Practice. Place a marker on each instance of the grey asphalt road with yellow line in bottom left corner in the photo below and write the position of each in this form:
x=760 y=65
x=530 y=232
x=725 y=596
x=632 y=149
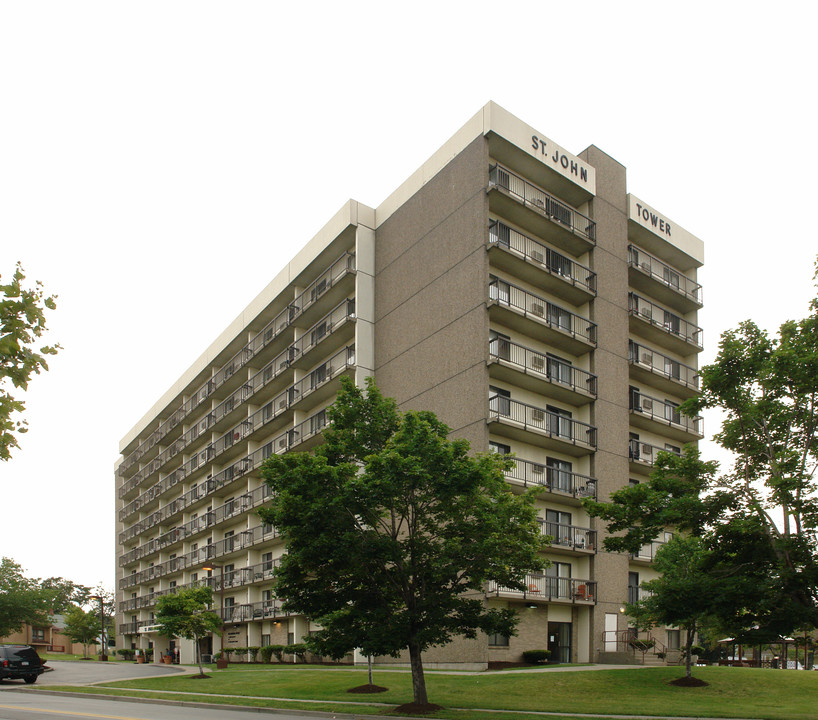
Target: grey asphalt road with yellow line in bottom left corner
x=18 y=704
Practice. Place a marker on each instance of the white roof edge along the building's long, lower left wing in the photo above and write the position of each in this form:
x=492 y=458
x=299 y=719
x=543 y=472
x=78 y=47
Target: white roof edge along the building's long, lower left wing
x=351 y=213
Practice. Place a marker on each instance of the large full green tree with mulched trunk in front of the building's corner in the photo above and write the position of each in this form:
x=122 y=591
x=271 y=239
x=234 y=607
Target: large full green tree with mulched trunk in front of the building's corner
x=393 y=530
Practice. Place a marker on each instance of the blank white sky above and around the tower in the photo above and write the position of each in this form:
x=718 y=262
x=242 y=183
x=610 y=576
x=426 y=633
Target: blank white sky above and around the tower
x=161 y=161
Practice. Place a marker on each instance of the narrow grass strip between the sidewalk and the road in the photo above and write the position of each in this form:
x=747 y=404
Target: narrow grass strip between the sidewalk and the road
x=445 y=714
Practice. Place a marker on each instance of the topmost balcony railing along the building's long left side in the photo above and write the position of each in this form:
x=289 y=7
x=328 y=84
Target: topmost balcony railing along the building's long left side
x=338 y=270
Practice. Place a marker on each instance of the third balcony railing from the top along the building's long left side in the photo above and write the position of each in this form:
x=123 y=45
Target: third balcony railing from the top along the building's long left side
x=321 y=375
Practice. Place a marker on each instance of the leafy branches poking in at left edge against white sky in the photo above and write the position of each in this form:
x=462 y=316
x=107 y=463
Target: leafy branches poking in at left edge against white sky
x=22 y=321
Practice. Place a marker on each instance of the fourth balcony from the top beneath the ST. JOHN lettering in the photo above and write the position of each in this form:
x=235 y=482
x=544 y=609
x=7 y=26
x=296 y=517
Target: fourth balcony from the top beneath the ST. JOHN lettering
x=537 y=371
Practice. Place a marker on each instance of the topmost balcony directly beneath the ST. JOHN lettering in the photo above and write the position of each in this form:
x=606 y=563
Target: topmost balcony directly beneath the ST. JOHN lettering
x=543 y=214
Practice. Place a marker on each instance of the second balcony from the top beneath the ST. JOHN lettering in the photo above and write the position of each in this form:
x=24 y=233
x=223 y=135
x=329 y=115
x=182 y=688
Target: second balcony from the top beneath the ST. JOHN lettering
x=529 y=259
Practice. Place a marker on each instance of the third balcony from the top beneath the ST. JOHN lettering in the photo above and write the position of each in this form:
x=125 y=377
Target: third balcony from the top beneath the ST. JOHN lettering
x=532 y=315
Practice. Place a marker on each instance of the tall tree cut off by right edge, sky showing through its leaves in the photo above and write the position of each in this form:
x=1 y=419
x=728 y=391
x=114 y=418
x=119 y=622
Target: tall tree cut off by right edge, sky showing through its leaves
x=767 y=389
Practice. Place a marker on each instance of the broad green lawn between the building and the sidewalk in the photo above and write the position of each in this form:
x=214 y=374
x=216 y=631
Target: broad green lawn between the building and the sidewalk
x=733 y=692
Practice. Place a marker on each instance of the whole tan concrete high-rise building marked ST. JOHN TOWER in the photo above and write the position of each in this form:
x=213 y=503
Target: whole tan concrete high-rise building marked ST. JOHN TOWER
x=516 y=290
